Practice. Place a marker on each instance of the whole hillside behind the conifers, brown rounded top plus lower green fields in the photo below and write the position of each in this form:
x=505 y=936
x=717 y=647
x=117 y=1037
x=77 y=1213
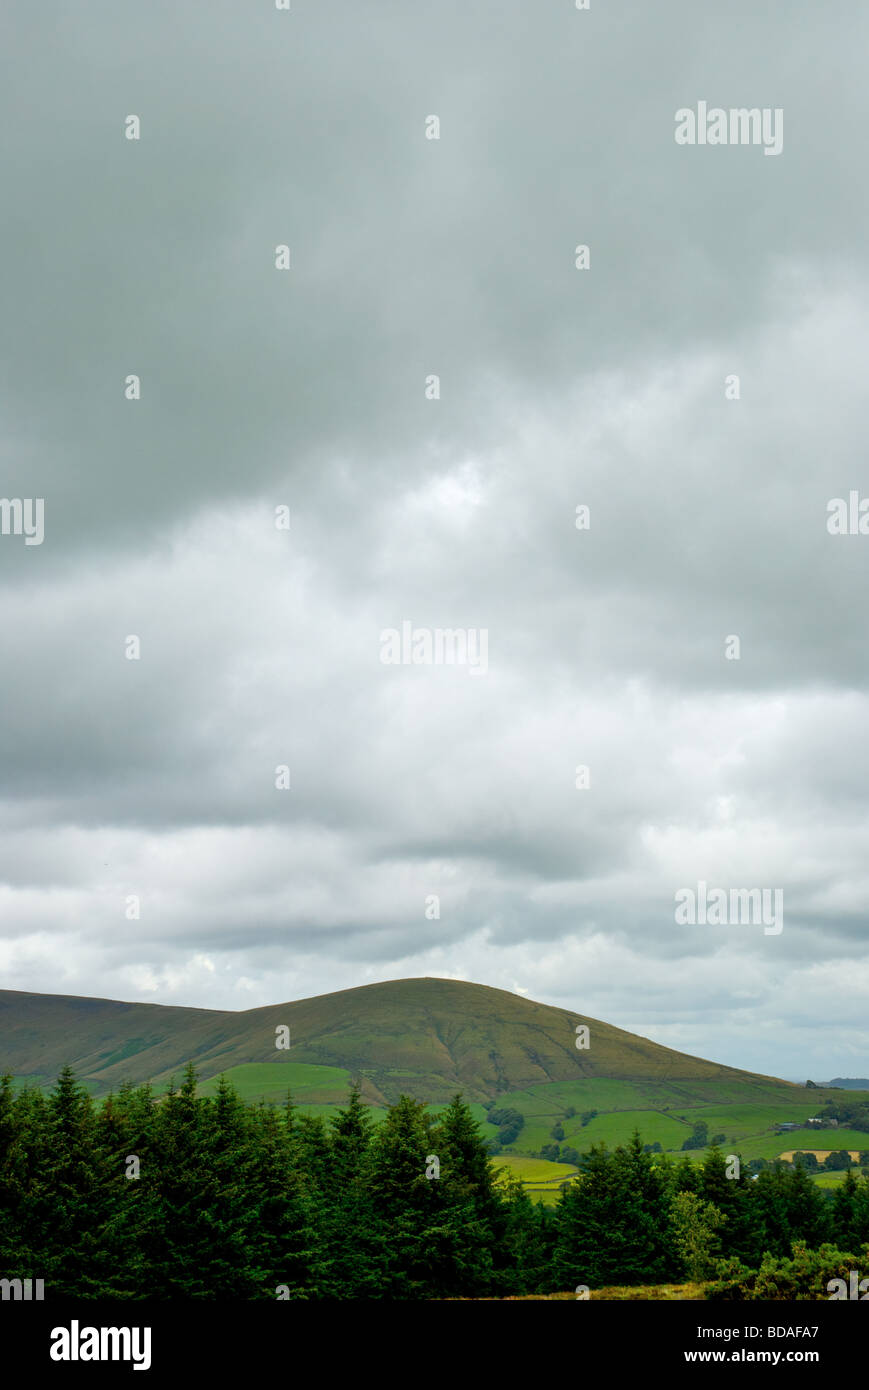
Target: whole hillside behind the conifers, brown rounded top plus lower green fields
x=429 y=1039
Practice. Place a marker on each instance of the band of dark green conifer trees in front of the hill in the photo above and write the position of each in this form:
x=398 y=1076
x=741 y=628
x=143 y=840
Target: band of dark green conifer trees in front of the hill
x=208 y=1197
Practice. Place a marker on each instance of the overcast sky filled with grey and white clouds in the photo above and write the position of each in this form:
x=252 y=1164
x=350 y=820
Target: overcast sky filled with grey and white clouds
x=398 y=430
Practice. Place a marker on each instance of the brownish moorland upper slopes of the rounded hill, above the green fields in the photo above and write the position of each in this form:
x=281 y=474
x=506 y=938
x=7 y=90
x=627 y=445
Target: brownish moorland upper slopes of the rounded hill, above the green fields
x=428 y=1038
